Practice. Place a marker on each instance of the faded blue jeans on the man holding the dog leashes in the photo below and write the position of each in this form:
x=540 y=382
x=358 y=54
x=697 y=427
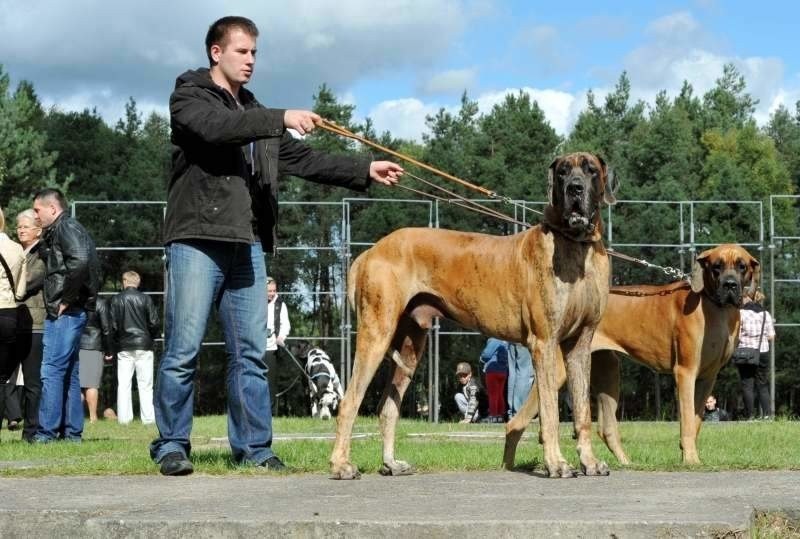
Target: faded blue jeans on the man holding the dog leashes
x=232 y=276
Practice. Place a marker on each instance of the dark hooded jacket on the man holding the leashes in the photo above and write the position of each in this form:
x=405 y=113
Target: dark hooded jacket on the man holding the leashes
x=212 y=193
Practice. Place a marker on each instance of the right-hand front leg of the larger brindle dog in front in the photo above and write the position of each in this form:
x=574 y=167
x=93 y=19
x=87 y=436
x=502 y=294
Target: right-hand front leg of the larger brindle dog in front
x=578 y=359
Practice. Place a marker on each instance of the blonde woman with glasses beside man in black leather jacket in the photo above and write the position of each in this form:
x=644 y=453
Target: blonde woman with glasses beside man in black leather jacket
x=30 y=320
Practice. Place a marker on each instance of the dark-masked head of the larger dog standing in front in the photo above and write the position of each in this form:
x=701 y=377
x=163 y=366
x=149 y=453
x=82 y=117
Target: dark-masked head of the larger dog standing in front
x=577 y=183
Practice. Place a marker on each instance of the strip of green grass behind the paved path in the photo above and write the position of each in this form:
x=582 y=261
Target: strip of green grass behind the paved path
x=112 y=449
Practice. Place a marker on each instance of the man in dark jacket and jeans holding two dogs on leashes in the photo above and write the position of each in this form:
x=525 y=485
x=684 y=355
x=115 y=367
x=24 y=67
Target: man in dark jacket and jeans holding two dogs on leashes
x=221 y=208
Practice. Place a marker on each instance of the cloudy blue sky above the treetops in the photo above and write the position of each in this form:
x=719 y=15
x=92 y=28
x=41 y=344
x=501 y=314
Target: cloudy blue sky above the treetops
x=398 y=61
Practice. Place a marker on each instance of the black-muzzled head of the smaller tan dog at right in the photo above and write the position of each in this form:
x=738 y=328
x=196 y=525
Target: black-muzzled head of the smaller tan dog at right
x=726 y=273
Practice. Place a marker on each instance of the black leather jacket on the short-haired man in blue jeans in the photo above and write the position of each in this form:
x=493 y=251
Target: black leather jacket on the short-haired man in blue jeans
x=72 y=270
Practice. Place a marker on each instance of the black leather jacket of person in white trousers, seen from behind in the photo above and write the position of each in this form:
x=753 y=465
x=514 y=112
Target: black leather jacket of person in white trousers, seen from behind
x=134 y=320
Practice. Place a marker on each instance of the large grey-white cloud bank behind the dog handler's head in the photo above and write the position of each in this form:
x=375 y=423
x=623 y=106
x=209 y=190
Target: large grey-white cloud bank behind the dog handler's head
x=138 y=49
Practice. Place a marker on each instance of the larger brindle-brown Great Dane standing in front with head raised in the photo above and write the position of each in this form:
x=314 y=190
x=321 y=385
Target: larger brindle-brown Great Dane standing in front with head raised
x=546 y=287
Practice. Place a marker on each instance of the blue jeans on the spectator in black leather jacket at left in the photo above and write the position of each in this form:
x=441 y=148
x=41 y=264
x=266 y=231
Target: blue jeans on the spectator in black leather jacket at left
x=60 y=407
